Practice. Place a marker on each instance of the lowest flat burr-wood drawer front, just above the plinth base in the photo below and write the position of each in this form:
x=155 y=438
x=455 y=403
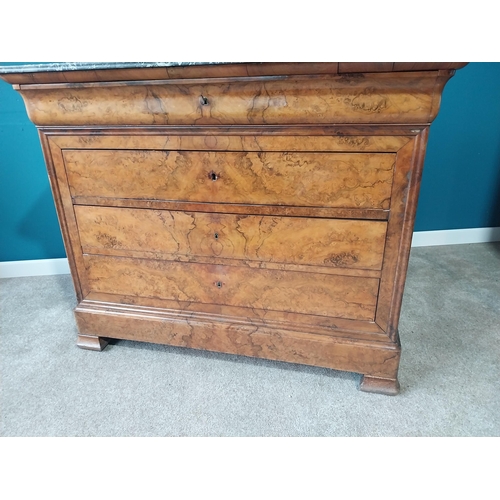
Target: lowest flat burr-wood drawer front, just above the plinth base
x=288 y=291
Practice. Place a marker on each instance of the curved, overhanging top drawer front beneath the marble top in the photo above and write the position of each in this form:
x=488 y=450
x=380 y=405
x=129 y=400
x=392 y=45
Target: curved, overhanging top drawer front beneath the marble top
x=319 y=99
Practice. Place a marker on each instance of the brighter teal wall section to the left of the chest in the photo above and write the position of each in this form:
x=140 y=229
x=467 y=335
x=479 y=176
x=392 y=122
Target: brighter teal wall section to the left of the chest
x=28 y=220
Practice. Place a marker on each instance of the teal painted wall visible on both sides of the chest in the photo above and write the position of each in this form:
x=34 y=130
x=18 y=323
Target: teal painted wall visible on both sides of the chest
x=460 y=186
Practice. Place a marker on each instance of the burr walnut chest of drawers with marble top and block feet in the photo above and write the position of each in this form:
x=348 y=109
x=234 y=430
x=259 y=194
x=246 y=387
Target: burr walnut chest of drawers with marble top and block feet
x=263 y=209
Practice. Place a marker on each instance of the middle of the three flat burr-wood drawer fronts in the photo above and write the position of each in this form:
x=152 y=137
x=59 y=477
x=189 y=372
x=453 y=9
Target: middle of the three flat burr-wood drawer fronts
x=294 y=240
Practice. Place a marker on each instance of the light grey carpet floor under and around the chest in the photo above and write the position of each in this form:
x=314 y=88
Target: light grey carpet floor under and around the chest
x=449 y=372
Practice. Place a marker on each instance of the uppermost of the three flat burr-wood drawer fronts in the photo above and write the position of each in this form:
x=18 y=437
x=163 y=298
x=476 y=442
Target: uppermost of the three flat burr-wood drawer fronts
x=353 y=180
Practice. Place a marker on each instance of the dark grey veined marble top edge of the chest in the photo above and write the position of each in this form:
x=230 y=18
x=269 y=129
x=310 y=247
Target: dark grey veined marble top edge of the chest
x=88 y=66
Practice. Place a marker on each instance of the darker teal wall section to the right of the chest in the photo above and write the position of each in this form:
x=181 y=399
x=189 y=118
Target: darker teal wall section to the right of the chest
x=461 y=180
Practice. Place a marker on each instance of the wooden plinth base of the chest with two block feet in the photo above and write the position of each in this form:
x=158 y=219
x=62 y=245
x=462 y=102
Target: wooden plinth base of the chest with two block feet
x=378 y=361
